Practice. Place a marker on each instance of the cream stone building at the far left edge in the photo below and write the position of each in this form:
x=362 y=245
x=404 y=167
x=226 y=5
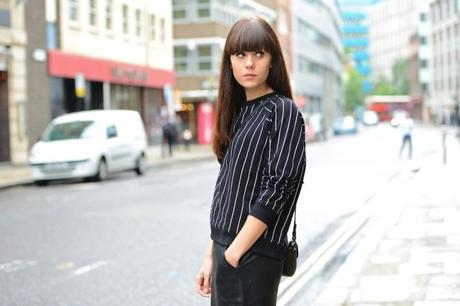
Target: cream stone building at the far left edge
x=13 y=86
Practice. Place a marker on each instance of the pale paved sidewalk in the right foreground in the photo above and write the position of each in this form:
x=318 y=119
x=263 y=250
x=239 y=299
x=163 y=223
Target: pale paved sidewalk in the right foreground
x=409 y=253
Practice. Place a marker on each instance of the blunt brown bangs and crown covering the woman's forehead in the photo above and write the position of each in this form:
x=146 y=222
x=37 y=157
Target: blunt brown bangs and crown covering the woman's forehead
x=249 y=35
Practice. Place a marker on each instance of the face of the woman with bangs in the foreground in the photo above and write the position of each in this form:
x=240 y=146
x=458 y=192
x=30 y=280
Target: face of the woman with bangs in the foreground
x=251 y=69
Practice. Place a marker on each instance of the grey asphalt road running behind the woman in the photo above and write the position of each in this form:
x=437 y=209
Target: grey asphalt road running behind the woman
x=140 y=240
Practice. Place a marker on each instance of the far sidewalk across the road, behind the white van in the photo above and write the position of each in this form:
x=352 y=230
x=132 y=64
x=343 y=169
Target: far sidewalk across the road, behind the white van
x=19 y=175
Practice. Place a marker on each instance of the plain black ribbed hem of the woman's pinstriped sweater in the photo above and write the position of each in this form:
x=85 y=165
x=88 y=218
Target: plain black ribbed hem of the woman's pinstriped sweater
x=261 y=246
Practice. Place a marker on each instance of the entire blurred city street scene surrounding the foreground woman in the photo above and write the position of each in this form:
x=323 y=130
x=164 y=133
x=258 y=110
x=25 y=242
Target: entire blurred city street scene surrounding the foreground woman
x=365 y=74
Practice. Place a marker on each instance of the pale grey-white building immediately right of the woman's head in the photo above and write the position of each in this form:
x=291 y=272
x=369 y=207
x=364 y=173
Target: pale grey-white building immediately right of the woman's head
x=317 y=57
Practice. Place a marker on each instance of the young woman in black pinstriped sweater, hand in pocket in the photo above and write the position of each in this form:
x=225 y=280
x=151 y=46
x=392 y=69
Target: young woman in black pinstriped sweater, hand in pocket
x=259 y=140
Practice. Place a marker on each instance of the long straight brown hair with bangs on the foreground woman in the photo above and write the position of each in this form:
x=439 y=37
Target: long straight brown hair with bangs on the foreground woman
x=246 y=35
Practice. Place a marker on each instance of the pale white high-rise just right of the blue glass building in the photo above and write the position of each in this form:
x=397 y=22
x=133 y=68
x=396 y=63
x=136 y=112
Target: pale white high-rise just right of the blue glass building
x=399 y=31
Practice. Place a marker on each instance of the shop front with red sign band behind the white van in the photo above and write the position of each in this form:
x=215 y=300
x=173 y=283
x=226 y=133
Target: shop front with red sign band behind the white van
x=83 y=83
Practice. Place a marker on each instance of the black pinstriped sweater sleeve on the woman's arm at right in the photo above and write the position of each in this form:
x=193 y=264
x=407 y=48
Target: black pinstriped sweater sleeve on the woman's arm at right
x=286 y=158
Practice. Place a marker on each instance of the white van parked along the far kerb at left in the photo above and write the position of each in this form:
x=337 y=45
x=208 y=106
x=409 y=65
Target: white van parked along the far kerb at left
x=89 y=144
